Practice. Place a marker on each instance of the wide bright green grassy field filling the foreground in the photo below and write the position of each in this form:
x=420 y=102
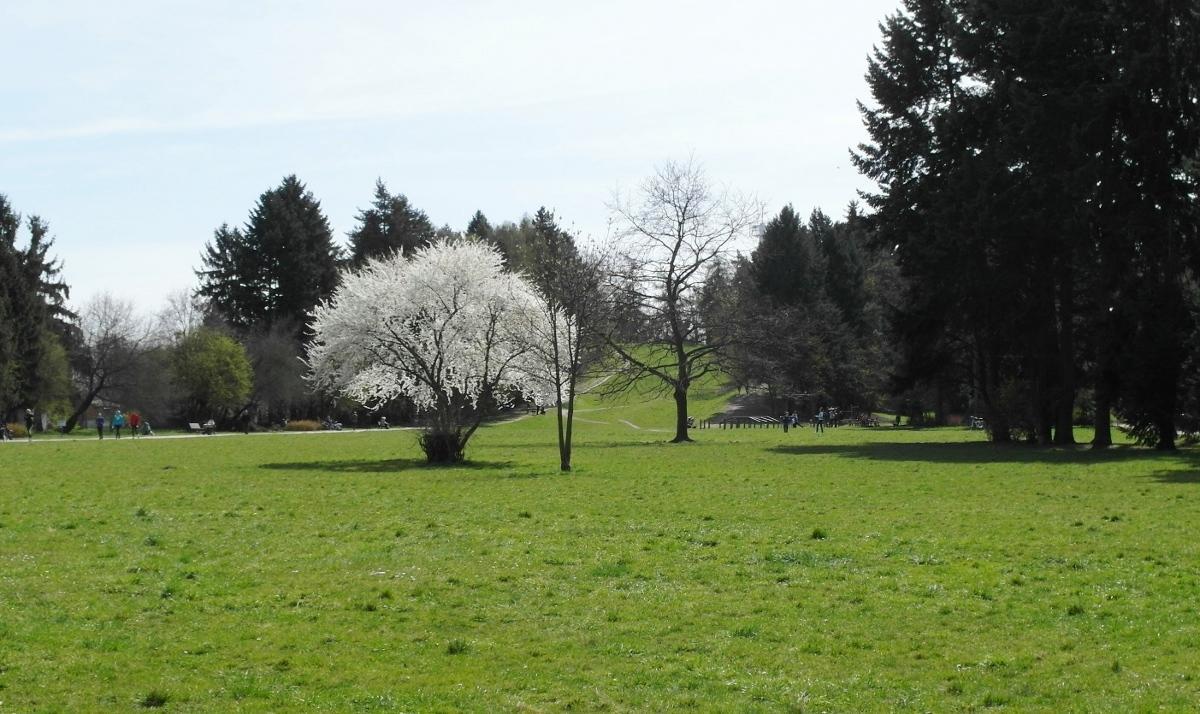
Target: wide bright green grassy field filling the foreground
x=856 y=571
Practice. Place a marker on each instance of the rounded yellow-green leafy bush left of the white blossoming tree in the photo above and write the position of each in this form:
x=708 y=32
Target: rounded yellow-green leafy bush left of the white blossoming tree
x=212 y=373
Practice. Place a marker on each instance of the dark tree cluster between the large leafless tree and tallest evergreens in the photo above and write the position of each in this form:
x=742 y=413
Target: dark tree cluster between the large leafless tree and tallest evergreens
x=806 y=315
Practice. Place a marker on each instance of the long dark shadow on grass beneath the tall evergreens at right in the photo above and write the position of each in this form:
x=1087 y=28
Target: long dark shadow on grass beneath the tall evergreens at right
x=988 y=453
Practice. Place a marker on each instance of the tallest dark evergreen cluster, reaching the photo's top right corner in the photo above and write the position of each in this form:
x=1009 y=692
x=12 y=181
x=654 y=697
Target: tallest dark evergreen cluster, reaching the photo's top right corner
x=1036 y=169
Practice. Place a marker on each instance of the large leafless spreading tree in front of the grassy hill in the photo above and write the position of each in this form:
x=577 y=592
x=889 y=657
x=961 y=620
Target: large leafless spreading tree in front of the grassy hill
x=670 y=233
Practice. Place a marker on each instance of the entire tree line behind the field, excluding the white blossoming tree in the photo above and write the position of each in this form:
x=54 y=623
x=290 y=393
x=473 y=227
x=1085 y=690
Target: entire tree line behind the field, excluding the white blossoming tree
x=1029 y=255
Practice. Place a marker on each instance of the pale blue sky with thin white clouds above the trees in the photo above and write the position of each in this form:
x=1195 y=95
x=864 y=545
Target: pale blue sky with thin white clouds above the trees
x=136 y=129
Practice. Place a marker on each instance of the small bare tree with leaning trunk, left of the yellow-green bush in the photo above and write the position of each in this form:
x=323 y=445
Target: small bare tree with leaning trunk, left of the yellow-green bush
x=113 y=343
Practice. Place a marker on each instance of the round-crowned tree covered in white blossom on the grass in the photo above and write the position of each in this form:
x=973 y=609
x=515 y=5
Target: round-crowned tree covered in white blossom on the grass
x=447 y=328
